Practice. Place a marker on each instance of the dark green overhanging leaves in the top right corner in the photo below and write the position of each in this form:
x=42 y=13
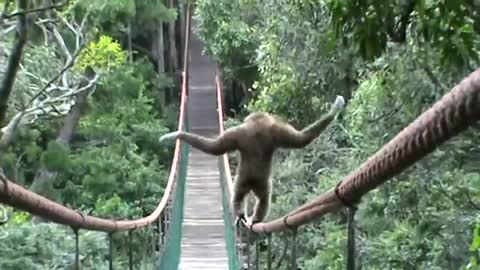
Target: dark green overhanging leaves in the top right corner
x=449 y=27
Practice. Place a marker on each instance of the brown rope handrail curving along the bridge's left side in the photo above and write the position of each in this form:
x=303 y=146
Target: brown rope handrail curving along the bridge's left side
x=17 y=196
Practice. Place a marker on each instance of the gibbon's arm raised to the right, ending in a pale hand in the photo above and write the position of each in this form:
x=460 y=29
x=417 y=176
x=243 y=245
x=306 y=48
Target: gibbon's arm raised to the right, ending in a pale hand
x=288 y=137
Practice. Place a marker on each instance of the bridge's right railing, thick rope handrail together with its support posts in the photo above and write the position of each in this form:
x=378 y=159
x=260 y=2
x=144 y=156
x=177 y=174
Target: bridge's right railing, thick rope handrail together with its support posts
x=452 y=114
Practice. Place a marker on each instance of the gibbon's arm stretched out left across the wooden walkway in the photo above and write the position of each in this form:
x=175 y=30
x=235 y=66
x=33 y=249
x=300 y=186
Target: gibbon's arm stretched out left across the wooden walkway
x=226 y=142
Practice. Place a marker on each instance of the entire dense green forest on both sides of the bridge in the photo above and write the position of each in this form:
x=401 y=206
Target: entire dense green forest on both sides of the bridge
x=98 y=82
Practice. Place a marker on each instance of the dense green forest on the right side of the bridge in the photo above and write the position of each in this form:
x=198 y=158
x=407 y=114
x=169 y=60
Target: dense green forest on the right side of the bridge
x=391 y=60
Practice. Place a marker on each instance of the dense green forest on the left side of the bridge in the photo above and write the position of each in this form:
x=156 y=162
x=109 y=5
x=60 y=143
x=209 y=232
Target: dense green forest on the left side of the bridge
x=97 y=83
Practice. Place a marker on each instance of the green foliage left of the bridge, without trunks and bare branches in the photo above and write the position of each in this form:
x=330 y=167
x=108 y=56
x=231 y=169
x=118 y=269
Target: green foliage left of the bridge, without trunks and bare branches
x=114 y=166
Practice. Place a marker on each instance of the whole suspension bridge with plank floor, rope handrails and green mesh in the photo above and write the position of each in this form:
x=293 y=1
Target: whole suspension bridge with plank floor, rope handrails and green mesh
x=193 y=223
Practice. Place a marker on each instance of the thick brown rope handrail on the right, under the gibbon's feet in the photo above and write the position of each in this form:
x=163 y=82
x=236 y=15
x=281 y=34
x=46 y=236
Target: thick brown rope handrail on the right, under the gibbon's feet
x=453 y=113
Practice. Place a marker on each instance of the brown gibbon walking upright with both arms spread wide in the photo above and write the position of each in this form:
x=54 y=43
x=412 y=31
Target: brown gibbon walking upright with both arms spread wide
x=256 y=139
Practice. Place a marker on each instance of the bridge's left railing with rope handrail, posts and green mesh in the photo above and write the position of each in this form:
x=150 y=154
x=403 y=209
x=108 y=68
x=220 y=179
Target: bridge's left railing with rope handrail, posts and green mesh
x=165 y=221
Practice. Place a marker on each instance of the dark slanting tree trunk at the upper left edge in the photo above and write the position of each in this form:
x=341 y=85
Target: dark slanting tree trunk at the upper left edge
x=13 y=61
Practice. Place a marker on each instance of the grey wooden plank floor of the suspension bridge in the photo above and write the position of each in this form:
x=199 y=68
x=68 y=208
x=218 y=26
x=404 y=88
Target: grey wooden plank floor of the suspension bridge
x=203 y=241
